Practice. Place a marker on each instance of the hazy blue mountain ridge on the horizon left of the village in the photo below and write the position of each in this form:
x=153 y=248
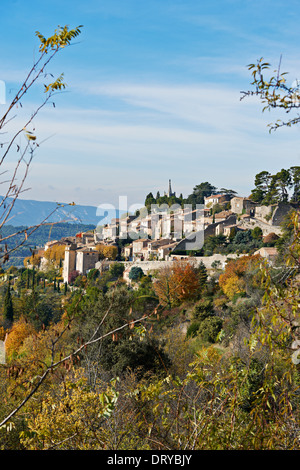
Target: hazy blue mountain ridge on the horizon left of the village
x=30 y=212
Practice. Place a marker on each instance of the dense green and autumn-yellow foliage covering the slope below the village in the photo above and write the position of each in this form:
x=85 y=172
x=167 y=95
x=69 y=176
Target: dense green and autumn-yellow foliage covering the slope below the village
x=182 y=359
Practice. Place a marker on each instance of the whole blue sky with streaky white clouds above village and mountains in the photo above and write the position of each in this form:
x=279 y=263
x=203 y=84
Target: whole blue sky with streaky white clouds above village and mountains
x=153 y=94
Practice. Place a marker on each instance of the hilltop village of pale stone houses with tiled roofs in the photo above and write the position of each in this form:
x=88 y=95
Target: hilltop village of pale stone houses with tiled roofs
x=154 y=237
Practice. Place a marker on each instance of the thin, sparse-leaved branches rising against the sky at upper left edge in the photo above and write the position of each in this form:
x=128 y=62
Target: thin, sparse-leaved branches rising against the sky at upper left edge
x=23 y=141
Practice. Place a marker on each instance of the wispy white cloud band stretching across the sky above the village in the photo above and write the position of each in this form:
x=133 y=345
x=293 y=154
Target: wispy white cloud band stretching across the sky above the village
x=155 y=132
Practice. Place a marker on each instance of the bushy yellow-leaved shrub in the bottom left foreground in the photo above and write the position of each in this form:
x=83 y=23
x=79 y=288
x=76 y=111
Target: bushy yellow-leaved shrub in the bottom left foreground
x=75 y=410
